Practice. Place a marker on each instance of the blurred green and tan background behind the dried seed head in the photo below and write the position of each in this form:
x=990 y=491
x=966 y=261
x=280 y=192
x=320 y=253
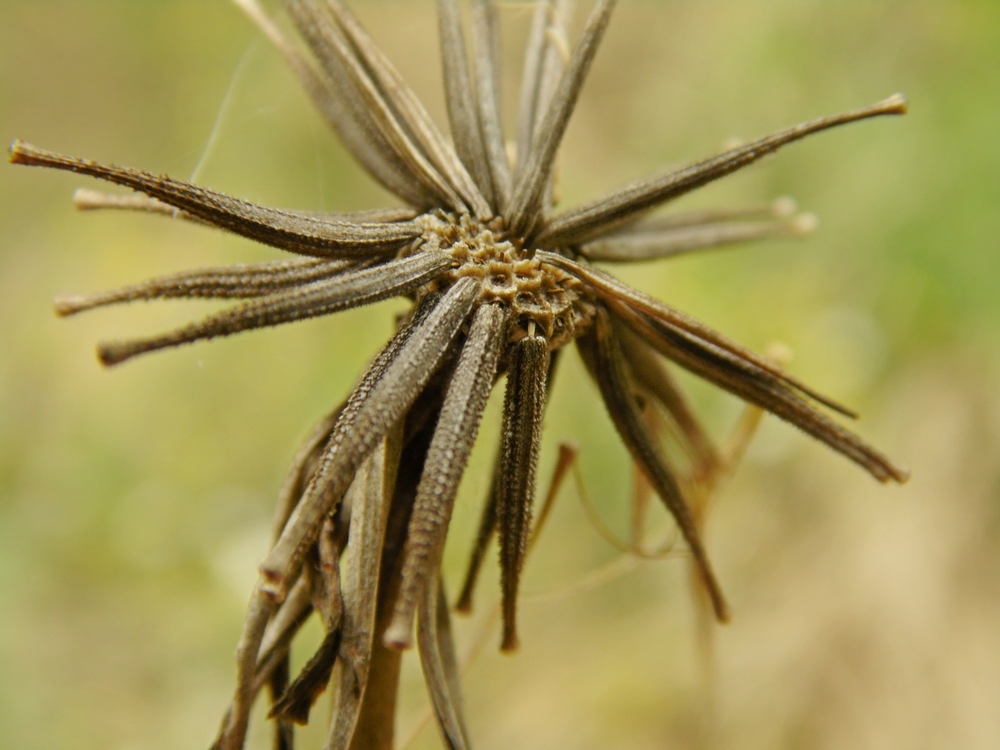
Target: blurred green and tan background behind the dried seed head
x=135 y=502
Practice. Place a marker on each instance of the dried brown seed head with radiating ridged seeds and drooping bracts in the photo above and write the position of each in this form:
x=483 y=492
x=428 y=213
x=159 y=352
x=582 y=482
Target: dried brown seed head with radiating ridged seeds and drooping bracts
x=500 y=284
